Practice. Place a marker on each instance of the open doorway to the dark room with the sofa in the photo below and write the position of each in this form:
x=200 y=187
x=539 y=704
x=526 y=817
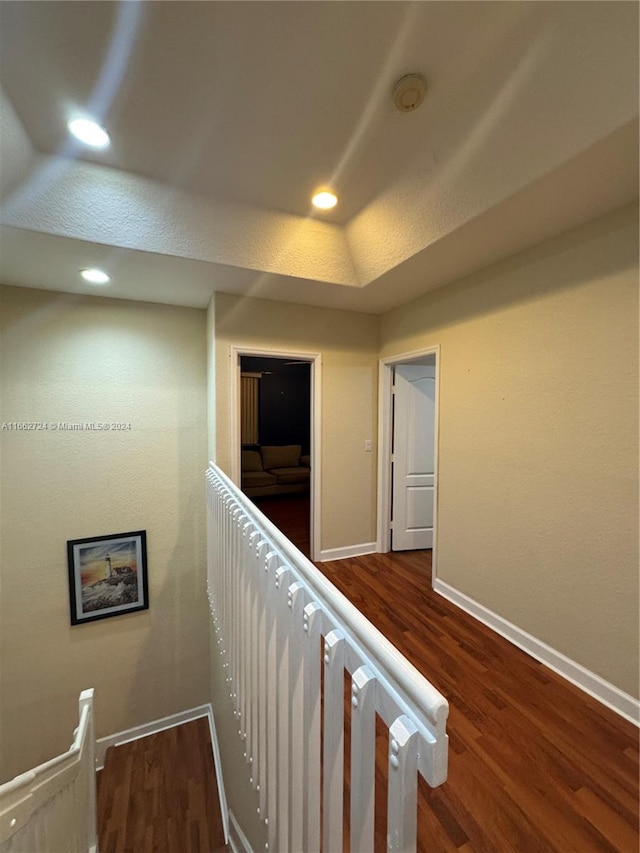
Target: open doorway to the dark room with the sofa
x=275 y=435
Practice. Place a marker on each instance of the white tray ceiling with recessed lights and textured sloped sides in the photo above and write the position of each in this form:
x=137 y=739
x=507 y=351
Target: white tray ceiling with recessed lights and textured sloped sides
x=225 y=116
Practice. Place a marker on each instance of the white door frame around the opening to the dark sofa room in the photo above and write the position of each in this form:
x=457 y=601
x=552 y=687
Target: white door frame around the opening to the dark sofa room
x=315 y=360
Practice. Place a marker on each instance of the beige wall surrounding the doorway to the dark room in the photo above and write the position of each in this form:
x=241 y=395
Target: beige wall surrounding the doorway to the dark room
x=348 y=343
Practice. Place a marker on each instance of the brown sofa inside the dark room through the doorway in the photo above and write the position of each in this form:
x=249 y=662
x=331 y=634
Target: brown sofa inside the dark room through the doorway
x=275 y=470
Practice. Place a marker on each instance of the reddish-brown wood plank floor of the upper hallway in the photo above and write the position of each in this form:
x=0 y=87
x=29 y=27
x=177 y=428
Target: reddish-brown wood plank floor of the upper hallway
x=535 y=764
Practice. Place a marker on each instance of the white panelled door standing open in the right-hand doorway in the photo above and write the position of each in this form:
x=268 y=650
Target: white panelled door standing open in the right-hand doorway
x=413 y=457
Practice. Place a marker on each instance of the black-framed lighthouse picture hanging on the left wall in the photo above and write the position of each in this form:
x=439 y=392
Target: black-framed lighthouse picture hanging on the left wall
x=107 y=576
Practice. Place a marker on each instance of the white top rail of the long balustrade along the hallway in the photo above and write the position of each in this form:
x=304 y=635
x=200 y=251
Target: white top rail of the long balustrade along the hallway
x=400 y=671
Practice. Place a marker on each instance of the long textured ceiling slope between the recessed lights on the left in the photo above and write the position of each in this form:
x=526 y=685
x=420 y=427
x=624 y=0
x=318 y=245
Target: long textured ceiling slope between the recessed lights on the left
x=129 y=211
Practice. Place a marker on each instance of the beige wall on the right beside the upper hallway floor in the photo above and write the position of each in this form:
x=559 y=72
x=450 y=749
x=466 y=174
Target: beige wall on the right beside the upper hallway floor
x=538 y=497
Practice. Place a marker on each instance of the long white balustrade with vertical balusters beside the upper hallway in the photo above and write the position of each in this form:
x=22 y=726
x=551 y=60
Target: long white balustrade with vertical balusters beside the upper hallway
x=277 y=622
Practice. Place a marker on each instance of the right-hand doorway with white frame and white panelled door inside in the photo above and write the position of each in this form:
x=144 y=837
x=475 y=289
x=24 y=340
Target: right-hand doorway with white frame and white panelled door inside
x=407 y=473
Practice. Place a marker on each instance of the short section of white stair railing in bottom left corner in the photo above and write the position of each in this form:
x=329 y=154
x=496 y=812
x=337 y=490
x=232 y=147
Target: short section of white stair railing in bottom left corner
x=52 y=808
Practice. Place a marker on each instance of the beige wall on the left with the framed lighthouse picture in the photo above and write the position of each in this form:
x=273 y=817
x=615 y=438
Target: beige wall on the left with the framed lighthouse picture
x=70 y=358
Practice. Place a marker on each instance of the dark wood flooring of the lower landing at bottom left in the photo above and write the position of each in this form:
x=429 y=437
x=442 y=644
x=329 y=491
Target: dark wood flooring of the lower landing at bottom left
x=159 y=794
